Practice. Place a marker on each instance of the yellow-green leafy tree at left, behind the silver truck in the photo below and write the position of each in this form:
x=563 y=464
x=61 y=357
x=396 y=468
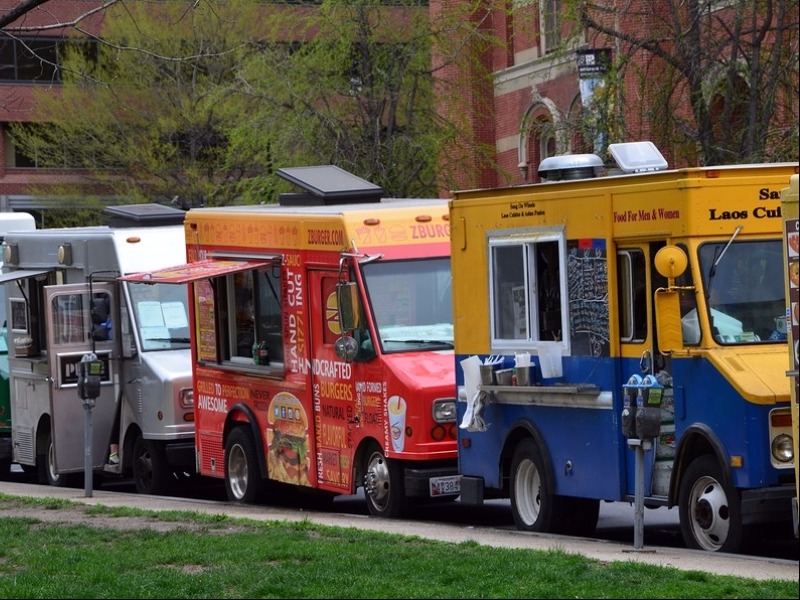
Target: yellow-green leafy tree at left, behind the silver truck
x=151 y=115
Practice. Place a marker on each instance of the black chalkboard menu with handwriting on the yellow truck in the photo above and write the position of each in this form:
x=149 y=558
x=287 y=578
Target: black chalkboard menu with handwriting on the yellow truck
x=587 y=281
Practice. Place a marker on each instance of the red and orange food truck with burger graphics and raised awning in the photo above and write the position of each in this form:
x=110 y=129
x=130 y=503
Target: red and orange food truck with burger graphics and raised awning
x=322 y=335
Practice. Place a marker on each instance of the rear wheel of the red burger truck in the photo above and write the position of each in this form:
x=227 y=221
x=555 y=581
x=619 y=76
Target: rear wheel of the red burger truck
x=243 y=482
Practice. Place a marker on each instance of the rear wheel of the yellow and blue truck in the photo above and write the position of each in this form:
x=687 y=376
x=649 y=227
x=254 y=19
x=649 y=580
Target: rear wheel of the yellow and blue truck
x=532 y=502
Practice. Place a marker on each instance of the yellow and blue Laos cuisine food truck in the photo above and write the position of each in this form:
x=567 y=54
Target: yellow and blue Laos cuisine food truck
x=612 y=311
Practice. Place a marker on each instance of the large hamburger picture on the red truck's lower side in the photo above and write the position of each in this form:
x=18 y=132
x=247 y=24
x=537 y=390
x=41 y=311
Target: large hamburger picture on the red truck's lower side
x=288 y=440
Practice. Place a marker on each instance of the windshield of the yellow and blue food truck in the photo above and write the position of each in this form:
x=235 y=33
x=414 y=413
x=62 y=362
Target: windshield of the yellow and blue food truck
x=744 y=287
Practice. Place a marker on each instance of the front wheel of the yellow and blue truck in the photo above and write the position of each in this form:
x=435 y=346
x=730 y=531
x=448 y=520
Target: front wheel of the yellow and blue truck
x=710 y=511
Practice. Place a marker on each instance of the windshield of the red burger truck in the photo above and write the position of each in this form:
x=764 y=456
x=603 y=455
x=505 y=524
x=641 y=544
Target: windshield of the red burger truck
x=411 y=303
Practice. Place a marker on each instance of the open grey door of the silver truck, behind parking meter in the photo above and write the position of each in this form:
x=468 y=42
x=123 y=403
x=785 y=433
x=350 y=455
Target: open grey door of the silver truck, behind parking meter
x=79 y=322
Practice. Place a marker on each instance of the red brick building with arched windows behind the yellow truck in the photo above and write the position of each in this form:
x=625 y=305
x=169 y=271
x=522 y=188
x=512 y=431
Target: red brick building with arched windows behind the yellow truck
x=545 y=69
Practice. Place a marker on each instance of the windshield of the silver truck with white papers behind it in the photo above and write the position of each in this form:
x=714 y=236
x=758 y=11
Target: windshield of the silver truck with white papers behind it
x=160 y=315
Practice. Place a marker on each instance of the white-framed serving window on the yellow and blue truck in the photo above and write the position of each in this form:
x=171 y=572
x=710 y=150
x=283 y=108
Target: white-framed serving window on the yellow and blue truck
x=527 y=290
